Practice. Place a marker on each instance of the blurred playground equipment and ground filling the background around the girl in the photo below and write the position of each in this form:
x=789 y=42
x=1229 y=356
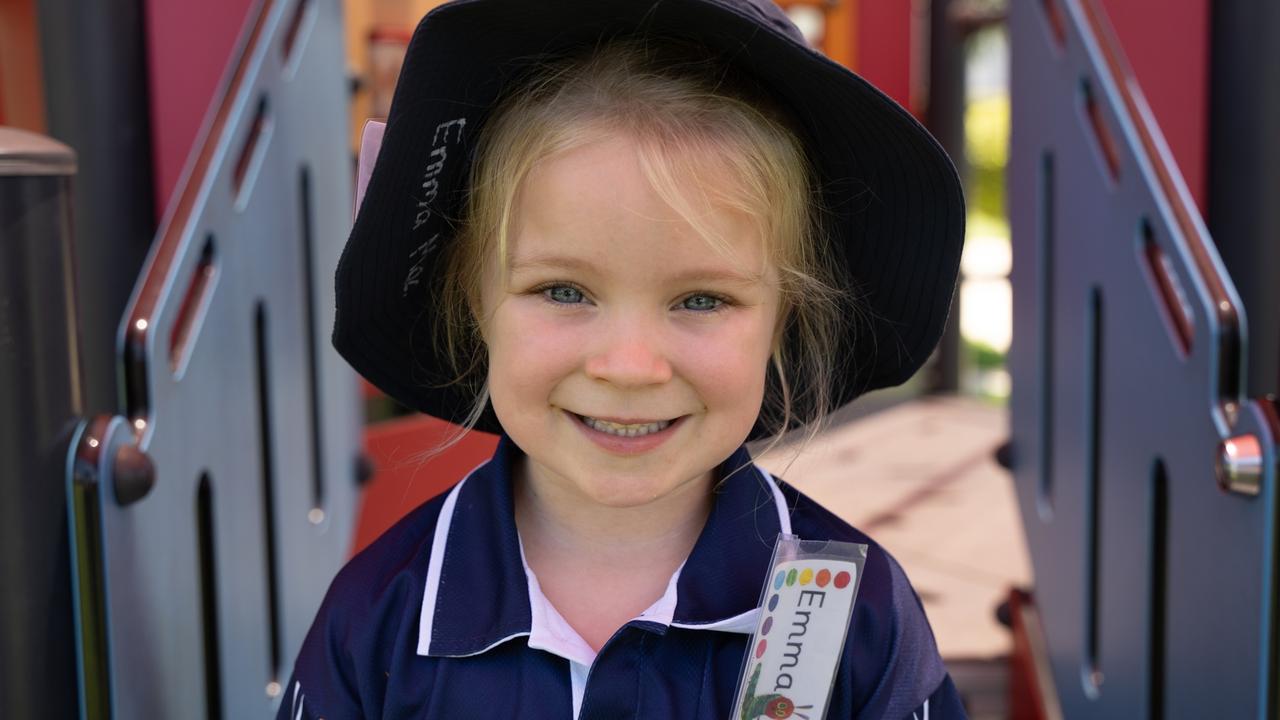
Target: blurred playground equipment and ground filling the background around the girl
x=1081 y=484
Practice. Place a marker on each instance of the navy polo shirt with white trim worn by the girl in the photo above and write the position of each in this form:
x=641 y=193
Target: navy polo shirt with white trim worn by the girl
x=442 y=618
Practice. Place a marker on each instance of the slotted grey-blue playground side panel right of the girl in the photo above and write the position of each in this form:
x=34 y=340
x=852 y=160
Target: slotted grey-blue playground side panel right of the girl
x=1191 y=644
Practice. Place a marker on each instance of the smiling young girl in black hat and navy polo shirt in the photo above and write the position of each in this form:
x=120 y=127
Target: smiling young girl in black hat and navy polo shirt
x=629 y=236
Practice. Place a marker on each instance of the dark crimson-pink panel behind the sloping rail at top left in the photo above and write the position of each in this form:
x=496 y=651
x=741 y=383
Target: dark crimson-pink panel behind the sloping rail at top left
x=189 y=47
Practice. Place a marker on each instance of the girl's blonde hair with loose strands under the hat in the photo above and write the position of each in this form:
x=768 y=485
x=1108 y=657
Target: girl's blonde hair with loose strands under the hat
x=682 y=110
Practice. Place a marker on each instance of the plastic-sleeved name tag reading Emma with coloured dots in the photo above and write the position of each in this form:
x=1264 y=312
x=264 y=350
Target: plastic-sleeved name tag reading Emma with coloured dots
x=806 y=608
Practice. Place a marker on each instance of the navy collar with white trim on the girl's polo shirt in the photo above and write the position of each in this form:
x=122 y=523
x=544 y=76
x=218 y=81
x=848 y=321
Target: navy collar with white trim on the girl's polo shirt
x=478 y=590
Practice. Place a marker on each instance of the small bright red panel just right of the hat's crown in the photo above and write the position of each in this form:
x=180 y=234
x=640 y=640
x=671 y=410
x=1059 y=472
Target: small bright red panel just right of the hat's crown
x=885 y=47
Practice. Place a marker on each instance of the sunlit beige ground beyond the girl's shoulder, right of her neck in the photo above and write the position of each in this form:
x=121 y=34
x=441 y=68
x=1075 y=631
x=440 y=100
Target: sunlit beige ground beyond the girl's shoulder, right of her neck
x=922 y=481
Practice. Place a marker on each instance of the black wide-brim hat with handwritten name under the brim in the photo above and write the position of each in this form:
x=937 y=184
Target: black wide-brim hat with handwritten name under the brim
x=894 y=206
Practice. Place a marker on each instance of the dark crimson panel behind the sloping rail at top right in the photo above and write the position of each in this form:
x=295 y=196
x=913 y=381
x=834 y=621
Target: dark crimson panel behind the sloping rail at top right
x=1168 y=47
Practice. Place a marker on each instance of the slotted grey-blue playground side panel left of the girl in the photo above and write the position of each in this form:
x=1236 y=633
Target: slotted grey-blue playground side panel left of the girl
x=184 y=642
